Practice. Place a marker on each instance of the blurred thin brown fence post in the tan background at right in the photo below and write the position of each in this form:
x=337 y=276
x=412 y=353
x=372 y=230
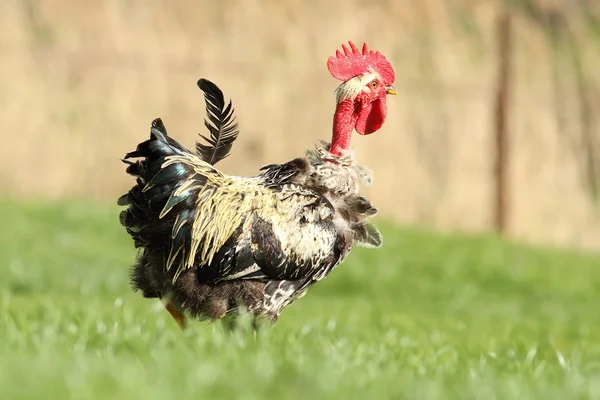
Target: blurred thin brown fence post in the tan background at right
x=500 y=121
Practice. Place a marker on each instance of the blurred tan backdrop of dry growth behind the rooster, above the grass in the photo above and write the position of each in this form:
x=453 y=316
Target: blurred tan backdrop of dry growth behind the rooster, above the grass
x=81 y=81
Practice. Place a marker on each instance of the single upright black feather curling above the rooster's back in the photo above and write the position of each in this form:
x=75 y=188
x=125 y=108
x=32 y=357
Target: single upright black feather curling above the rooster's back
x=221 y=123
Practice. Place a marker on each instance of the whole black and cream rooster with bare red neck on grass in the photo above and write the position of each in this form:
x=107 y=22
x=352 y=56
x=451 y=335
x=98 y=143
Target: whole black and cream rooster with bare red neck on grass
x=213 y=245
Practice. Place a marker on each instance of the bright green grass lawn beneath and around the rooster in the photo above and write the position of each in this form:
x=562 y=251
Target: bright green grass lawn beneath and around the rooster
x=425 y=317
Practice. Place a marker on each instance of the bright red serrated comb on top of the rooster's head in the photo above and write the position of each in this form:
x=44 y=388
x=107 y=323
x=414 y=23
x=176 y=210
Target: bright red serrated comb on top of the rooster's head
x=351 y=63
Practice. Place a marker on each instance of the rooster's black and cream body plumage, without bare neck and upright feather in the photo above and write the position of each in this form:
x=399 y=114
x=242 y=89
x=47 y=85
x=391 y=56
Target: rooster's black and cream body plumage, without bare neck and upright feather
x=259 y=242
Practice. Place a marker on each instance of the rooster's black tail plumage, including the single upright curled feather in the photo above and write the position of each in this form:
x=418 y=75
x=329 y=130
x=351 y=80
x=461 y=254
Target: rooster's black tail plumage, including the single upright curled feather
x=159 y=215
